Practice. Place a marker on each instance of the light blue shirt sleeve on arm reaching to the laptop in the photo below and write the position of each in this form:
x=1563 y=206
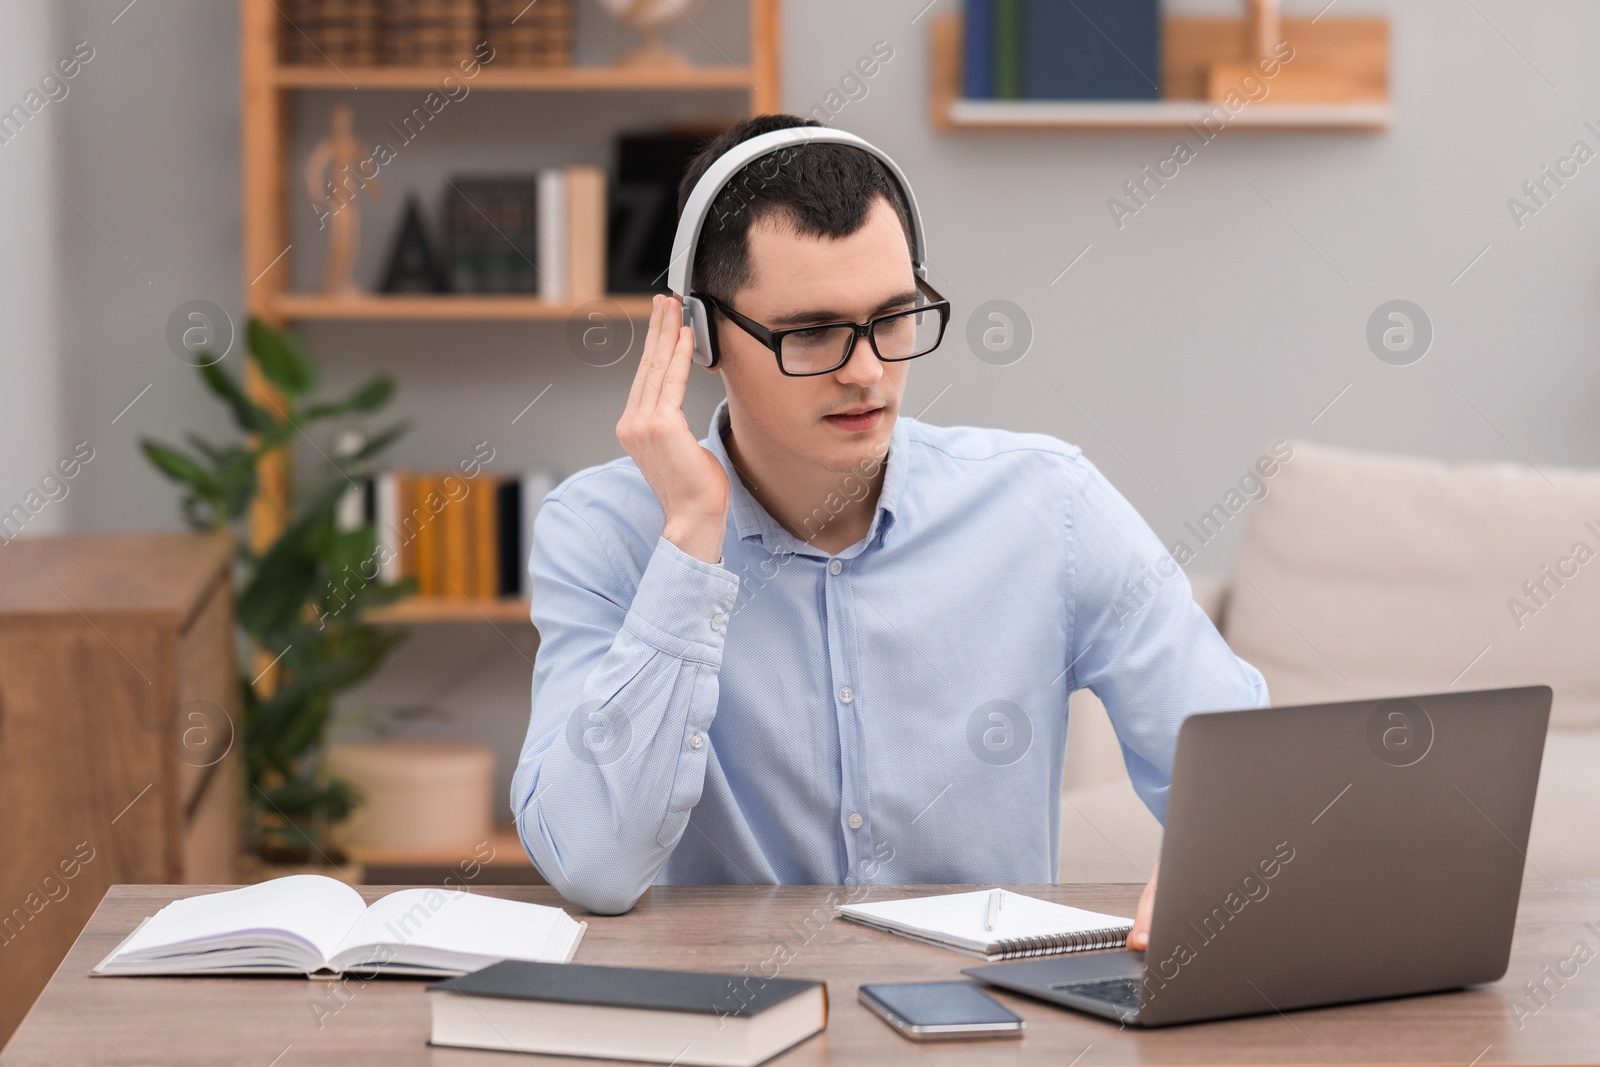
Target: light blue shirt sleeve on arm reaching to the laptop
x=1142 y=644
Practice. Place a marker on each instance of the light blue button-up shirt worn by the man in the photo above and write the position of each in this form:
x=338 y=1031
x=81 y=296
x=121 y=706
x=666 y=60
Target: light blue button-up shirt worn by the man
x=890 y=714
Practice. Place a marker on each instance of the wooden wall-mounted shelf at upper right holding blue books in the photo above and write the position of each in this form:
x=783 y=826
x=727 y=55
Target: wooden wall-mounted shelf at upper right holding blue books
x=1353 y=54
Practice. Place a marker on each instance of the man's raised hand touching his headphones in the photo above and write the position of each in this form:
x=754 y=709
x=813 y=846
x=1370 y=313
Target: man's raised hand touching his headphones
x=687 y=479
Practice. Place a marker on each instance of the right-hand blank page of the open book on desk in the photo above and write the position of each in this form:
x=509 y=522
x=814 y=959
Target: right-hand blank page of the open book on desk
x=452 y=921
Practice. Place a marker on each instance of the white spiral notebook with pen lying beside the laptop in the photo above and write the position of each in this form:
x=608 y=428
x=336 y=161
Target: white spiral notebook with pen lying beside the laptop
x=1025 y=927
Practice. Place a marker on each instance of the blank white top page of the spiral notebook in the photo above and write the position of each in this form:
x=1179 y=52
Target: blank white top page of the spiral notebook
x=961 y=917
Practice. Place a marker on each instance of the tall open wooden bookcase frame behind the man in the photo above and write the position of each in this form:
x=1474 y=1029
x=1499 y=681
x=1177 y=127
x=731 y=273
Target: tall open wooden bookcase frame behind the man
x=266 y=89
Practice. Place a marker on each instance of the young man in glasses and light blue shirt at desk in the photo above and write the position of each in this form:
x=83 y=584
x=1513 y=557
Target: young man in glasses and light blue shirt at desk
x=830 y=644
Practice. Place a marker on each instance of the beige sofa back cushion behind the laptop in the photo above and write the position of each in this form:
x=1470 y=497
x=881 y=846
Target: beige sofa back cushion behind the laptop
x=1369 y=575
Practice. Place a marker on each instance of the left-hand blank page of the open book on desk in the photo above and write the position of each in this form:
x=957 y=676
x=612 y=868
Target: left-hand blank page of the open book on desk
x=316 y=908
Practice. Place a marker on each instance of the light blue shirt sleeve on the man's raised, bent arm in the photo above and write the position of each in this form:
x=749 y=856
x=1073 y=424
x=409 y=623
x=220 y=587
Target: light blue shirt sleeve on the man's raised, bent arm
x=625 y=689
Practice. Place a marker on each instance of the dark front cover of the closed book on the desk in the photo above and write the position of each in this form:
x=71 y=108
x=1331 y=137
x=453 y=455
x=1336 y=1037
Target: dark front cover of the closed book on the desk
x=626 y=988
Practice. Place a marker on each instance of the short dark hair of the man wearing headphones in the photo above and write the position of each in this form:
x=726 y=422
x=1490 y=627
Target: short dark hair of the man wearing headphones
x=820 y=190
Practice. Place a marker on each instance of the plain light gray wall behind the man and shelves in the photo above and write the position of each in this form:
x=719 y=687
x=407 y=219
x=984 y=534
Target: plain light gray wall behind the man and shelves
x=1226 y=314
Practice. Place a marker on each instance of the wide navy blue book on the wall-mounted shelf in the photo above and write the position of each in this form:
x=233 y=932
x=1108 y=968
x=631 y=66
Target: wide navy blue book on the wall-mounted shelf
x=1092 y=50
